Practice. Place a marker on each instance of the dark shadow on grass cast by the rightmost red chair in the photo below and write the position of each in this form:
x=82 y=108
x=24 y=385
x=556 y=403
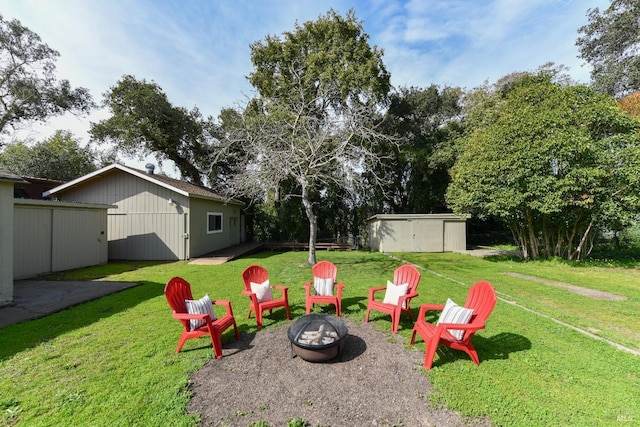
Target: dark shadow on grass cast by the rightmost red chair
x=496 y=347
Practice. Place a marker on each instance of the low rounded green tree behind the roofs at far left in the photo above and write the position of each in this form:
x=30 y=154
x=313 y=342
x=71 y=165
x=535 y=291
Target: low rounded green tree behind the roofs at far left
x=58 y=157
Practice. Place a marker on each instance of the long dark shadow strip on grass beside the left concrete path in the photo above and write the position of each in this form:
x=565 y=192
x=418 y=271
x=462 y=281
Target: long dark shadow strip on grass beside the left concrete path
x=29 y=334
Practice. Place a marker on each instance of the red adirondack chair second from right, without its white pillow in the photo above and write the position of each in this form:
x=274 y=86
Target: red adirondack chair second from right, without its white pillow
x=404 y=274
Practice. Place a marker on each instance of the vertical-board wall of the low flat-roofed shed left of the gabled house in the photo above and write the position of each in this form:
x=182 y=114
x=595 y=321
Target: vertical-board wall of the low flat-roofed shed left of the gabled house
x=53 y=236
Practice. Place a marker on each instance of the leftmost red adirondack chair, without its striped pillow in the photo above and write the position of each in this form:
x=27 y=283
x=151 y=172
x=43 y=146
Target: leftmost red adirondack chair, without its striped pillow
x=177 y=291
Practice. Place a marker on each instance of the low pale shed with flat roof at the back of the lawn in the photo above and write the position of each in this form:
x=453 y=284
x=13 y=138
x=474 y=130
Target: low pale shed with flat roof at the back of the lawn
x=417 y=233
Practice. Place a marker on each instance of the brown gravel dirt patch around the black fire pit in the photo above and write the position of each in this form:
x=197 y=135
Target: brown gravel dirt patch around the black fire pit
x=378 y=382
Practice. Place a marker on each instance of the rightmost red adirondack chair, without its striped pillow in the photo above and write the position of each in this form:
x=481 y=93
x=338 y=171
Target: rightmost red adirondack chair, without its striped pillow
x=481 y=299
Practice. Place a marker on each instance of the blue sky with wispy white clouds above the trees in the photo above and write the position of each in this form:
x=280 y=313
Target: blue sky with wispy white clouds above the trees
x=198 y=50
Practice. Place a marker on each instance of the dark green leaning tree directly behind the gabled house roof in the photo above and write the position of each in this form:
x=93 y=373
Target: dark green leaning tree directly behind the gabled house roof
x=144 y=121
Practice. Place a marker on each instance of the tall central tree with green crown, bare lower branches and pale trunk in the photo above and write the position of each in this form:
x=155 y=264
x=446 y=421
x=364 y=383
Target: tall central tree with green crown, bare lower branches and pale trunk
x=312 y=127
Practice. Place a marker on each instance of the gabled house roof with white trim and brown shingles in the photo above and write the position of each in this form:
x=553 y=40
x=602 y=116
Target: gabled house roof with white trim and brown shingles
x=180 y=187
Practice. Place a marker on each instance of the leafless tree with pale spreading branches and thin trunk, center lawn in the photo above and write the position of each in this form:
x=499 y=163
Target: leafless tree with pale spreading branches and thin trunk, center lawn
x=315 y=150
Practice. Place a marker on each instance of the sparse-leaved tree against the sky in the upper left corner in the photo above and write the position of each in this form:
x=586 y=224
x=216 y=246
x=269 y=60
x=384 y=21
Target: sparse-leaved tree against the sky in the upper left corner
x=29 y=89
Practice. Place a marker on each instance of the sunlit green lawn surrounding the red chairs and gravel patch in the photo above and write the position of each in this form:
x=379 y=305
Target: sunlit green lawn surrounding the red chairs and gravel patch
x=111 y=362
